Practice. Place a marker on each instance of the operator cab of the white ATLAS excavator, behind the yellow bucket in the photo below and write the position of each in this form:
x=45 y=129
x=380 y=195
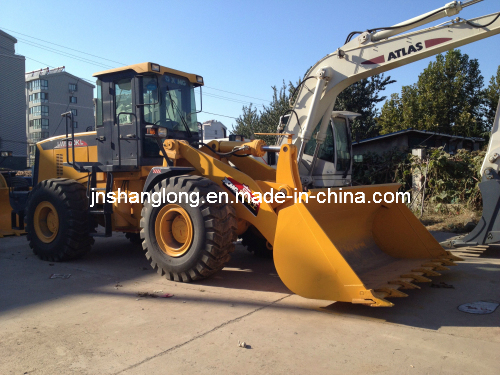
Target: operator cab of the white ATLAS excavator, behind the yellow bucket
x=334 y=163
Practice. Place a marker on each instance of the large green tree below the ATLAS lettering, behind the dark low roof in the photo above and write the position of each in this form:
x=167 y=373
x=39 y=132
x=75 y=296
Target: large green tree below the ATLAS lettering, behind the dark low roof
x=447 y=98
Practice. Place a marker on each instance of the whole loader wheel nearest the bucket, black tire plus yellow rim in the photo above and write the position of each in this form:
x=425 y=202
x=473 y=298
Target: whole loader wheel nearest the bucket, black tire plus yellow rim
x=187 y=243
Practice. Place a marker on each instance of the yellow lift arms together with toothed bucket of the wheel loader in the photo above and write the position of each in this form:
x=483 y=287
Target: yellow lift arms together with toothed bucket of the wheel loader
x=353 y=252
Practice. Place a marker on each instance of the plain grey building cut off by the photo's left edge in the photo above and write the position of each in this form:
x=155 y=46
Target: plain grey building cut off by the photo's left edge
x=12 y=105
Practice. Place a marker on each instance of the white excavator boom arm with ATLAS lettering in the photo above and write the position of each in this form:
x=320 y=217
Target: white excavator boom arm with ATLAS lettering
x=369 y=54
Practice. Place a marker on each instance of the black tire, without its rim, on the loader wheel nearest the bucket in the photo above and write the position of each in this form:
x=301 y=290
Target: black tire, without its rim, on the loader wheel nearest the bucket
x=214 y=232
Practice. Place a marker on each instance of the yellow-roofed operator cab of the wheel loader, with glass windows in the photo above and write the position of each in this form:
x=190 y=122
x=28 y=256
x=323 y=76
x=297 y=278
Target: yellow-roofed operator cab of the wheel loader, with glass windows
x=137 y=107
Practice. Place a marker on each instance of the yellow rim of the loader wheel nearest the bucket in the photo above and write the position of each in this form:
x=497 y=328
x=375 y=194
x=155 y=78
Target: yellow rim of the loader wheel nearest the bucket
x=173 y=230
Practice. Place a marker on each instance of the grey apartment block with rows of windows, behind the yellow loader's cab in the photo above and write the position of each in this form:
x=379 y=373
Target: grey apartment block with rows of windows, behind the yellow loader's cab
x=49 y=93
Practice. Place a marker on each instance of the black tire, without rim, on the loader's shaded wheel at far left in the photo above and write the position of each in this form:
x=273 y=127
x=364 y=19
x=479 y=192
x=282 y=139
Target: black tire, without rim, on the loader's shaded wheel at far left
x=69 y=199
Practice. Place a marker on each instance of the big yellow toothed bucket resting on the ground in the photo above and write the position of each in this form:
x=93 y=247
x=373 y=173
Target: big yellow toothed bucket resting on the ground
x=355 y=252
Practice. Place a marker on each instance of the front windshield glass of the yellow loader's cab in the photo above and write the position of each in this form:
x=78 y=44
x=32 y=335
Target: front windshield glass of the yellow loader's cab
x=172 y=105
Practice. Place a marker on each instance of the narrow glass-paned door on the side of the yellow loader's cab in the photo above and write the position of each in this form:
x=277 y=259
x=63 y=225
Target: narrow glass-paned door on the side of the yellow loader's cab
x=125 y=128
